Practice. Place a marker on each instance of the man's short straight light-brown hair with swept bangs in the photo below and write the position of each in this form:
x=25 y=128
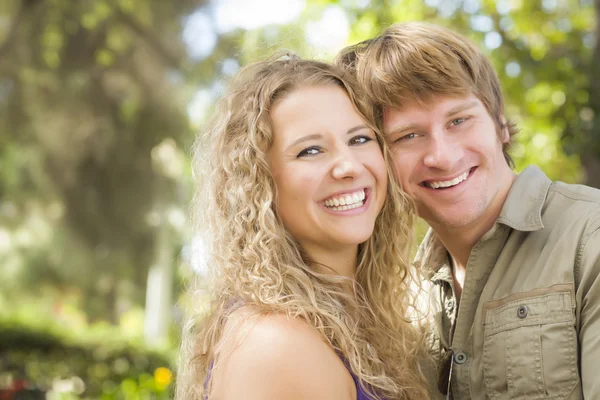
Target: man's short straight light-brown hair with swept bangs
x=415 y=61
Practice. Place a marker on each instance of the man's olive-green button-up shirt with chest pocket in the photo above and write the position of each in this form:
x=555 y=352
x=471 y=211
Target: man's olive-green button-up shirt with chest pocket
x=527 y=325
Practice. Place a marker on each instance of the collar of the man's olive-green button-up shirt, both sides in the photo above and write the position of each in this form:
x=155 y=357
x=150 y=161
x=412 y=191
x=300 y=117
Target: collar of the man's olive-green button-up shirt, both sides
x=522 y=211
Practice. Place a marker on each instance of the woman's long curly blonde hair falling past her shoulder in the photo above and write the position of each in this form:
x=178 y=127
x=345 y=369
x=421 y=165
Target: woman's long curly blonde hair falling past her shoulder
x=255 y=262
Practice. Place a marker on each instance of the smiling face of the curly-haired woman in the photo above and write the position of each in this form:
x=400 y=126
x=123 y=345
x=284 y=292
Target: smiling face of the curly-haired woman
x=328 y=167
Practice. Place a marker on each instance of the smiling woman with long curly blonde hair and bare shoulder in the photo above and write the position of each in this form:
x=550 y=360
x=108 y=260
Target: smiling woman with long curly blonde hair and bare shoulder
x=309 y=258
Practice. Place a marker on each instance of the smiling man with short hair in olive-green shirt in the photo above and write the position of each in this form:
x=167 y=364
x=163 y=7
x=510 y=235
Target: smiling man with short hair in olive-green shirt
x=512 y=261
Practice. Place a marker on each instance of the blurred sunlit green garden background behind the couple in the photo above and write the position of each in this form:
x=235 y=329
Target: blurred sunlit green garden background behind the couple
x=100 y=101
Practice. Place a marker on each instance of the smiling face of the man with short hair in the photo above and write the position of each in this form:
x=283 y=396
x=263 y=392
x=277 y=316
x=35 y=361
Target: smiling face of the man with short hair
x=448 y=157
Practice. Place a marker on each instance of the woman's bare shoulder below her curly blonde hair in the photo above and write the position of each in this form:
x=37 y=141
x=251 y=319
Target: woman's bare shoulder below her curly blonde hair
x=275 y=356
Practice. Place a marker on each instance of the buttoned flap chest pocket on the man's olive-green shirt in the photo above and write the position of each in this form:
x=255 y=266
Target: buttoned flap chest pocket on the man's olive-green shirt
x=530 y=345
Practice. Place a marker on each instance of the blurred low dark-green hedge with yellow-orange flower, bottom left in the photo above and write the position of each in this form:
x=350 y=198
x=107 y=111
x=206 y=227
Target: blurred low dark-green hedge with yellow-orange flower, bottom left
x=53 y=360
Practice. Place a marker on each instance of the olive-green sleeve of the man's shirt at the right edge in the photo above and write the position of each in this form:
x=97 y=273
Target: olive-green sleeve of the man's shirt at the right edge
x=588 y=297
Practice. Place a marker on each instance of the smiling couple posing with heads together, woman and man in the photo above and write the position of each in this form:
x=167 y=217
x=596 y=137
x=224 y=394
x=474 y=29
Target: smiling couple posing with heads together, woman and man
x=312 y=176
